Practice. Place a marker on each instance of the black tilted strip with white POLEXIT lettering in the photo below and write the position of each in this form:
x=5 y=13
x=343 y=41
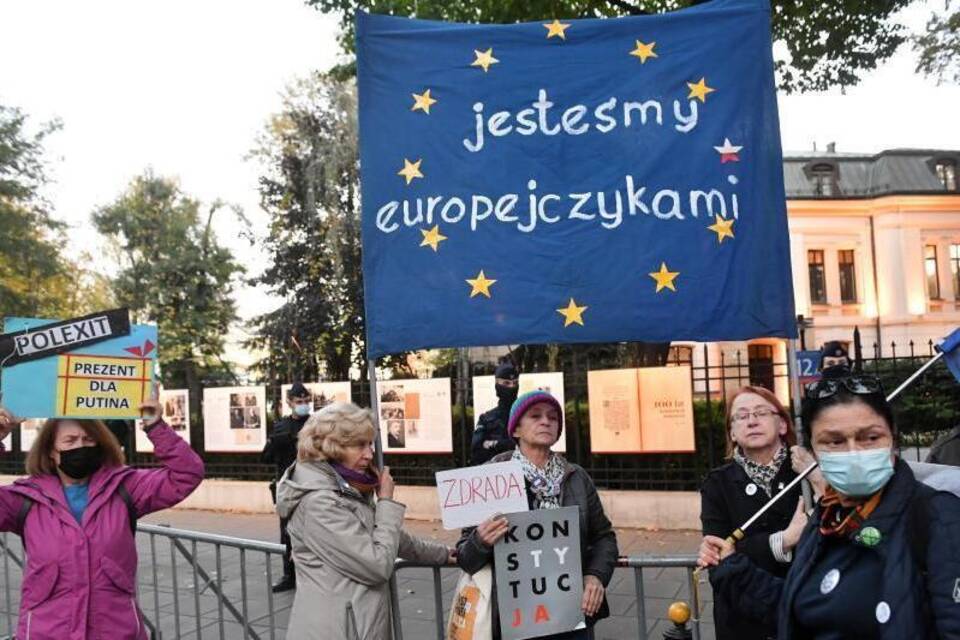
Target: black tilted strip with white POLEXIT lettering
x=58 y=337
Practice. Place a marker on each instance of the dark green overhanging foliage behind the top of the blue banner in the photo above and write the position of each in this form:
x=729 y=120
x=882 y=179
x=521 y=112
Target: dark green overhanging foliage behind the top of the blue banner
x=826 y=44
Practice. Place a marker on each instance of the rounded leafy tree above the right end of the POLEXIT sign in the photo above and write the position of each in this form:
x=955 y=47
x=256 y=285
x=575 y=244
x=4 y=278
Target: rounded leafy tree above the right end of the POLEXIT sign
x=173 y=272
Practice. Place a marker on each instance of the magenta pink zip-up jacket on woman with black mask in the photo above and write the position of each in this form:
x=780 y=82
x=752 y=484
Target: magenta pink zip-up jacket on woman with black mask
x=80 y=579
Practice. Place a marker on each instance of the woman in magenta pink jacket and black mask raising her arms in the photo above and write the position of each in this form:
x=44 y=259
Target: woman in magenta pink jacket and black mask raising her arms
x=76 y=515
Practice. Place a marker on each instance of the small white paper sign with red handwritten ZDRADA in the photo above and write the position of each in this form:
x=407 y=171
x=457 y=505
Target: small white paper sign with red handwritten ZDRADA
x=470 y=495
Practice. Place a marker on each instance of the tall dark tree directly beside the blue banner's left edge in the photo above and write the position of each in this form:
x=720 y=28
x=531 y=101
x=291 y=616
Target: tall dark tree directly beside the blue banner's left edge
x=310 y=188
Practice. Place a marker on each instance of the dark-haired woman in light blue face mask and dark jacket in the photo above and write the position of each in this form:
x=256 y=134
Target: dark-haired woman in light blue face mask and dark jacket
x=879 y=559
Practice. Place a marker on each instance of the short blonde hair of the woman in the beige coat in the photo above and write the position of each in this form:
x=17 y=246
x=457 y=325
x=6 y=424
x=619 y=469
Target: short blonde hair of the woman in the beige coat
x=334 y=427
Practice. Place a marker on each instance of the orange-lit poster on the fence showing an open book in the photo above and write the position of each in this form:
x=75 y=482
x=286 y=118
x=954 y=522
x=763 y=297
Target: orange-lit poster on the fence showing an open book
x=648 y=410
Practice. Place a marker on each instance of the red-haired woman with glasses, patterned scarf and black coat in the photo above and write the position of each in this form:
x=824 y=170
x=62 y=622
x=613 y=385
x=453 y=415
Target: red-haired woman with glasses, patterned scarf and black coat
x=759 y=435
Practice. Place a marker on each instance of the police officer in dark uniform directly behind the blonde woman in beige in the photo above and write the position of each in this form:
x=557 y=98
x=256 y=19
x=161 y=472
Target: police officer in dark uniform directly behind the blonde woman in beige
x=281 y=450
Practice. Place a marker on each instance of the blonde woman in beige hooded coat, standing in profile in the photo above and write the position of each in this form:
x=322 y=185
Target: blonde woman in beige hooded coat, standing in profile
x=344 y=541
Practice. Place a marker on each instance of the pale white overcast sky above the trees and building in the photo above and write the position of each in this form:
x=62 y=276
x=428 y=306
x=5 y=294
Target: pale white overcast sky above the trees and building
x=185 y=86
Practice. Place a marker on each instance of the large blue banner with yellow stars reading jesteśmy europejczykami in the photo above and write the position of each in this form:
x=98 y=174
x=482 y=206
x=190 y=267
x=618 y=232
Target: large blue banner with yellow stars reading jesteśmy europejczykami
x=572 y=180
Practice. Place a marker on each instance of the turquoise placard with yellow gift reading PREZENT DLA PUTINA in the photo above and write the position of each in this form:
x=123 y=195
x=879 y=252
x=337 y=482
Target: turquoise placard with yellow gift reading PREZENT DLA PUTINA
x=106 y=377
